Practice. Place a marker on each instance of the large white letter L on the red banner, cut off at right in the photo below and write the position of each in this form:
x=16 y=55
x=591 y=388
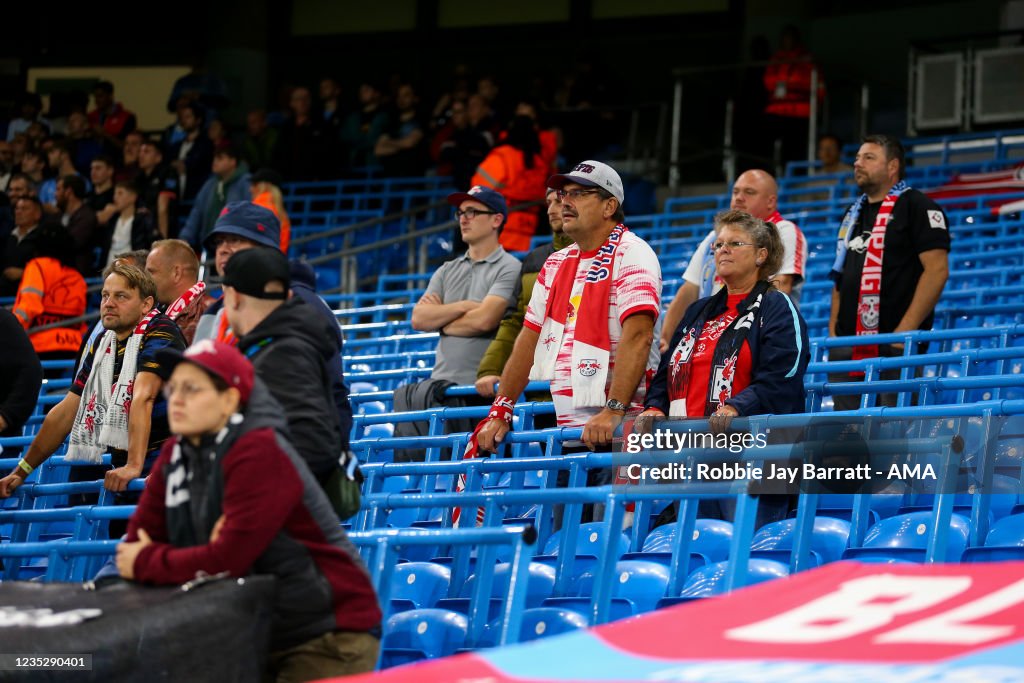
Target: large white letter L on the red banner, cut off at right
x=952 y=627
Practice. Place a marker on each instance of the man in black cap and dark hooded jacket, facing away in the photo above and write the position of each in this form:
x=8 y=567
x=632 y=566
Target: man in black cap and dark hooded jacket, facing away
x=290 y=346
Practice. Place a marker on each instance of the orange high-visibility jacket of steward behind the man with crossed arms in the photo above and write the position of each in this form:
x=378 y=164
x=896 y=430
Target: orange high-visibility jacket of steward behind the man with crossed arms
x=505 y=172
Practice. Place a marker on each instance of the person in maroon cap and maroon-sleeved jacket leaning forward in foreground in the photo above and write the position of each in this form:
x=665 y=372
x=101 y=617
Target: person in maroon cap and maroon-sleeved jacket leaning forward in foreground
x=228 y=452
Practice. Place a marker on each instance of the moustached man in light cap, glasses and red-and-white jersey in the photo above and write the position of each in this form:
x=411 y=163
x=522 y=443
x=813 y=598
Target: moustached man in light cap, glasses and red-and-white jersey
x=590 y=322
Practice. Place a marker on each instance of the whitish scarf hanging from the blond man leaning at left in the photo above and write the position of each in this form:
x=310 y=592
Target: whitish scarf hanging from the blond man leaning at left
x=102 y=420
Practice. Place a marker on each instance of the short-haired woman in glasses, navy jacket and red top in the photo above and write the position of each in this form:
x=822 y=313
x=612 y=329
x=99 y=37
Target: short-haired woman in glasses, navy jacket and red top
x=744 y=351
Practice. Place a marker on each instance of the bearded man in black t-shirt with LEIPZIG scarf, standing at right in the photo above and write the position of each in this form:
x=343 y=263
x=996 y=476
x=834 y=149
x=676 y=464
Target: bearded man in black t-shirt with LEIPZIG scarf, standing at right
x=904 y=239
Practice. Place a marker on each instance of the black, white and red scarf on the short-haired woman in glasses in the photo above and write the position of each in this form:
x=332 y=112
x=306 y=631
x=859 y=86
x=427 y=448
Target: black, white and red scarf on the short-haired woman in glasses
x=727 y=352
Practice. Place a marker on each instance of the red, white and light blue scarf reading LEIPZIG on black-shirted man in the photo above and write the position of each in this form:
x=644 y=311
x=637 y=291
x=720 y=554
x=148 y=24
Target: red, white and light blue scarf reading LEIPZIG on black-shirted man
x=870 y=295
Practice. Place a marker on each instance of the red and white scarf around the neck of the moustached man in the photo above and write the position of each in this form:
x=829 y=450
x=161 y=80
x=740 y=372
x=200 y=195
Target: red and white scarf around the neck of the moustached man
x=592 y=341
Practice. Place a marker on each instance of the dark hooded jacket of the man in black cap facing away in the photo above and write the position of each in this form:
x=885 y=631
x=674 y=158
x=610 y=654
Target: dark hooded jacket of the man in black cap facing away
x=291 y=351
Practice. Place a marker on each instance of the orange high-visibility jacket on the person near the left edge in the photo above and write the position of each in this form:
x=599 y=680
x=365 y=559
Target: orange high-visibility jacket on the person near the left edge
x=52 y=292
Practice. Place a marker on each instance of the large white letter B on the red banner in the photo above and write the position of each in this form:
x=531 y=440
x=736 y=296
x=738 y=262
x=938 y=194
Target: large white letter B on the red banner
x=850 y=611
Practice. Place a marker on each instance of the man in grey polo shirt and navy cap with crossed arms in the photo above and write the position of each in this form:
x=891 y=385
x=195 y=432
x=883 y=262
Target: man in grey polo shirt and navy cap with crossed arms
x=468 y=296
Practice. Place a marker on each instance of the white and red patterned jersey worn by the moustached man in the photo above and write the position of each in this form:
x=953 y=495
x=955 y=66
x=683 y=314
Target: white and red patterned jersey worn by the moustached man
x=636 y=289
